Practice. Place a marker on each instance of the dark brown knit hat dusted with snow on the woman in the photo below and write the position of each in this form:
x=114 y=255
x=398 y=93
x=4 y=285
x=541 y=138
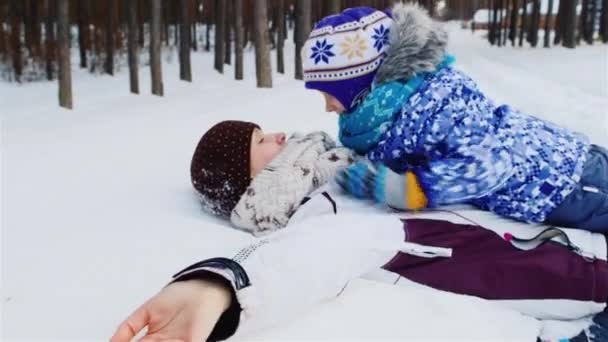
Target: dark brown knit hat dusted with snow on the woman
x=220 y=168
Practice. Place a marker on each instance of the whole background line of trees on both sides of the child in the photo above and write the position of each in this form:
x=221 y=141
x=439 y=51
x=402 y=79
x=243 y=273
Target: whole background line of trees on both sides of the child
x=39 y=39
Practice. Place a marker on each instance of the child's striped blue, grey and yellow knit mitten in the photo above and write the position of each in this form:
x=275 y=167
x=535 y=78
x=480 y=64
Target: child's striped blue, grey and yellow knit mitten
x=379 y=183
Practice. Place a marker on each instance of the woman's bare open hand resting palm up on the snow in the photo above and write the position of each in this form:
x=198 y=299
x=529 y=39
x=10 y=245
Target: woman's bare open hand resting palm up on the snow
x=182 y=311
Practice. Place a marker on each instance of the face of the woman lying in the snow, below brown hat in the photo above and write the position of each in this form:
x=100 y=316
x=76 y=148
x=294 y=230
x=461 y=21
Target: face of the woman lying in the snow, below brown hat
x=264 y=147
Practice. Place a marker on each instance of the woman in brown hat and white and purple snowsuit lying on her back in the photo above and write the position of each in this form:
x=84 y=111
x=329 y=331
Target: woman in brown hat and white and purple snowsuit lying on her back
x=262 y=182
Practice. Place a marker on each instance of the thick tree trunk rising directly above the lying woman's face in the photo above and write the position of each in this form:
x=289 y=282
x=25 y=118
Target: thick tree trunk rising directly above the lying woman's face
x=263 y=72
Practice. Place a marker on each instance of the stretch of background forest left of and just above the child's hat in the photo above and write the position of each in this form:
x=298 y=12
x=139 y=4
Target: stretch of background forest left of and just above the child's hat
x=38 y=38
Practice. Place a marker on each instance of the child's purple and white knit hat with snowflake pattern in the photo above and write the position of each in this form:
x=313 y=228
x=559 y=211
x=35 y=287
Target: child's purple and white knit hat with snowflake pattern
x=344 y=51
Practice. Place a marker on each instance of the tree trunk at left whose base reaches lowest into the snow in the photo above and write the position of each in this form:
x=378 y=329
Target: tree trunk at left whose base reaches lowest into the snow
x=65 y=74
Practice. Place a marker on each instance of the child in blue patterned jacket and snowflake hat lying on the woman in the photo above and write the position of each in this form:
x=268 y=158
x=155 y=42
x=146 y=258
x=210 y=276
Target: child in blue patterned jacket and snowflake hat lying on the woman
x=403 y=105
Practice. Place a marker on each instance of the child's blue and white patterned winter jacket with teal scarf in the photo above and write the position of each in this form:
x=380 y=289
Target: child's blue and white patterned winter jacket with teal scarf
x=462 y=147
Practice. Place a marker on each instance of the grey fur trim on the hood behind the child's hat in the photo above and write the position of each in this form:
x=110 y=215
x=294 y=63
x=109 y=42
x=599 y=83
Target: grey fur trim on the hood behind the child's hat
x=417 y=44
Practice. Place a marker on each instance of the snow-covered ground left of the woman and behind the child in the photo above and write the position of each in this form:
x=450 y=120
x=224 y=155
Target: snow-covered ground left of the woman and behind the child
x=97 y=209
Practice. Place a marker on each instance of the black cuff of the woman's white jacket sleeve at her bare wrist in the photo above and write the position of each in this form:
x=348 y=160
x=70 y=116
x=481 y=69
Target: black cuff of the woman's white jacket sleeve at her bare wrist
x=227 y=273
